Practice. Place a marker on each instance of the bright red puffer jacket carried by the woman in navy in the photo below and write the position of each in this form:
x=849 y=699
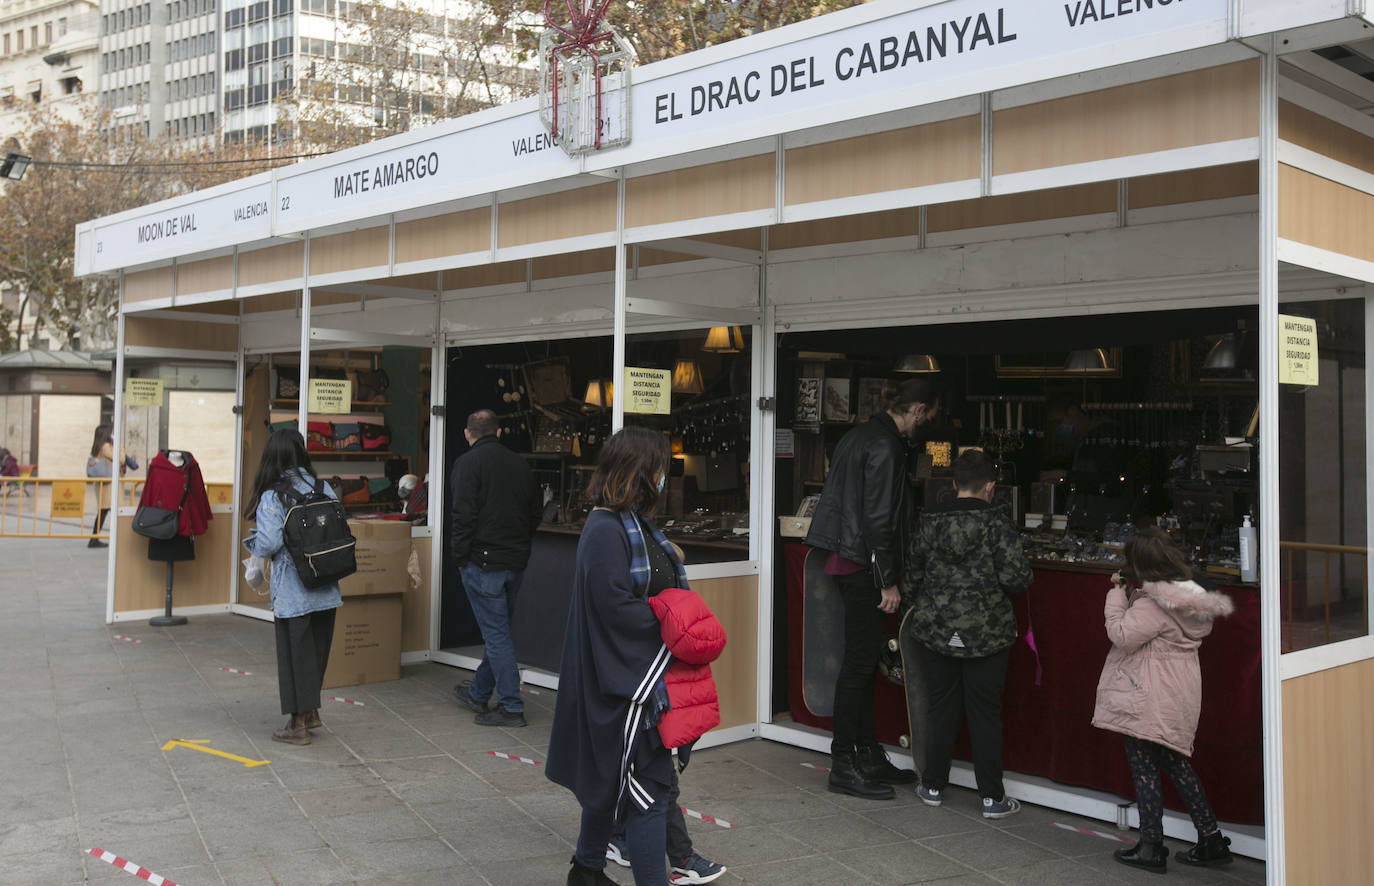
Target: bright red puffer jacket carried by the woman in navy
x=695 y=639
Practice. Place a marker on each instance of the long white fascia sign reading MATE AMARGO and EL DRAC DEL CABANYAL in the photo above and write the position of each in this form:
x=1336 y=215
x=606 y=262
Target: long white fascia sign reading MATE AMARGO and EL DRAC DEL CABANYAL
x=877 y=64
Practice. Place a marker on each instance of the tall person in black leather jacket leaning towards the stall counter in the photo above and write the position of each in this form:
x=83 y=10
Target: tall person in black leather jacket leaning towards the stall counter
x=861 y=520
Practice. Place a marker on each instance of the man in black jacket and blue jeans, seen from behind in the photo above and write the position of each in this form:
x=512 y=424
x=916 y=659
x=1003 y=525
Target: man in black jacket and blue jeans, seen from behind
x=497 y=508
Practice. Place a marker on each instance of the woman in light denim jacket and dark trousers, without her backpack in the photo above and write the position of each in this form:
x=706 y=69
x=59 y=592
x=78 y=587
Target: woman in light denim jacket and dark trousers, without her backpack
x=304 y=616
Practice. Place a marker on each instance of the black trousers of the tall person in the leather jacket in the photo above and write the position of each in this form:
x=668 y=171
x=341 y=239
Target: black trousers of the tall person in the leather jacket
x=864 y=645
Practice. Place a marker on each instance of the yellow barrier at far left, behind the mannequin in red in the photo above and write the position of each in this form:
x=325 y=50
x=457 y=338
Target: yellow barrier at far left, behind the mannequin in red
x=61 y=508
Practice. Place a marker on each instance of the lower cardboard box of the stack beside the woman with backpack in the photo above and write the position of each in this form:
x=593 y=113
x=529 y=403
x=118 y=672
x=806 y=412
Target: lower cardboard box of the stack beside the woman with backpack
x=368 y=642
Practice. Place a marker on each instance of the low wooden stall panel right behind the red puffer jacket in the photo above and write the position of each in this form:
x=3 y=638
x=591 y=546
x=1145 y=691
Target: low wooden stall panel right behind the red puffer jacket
x=736 y=604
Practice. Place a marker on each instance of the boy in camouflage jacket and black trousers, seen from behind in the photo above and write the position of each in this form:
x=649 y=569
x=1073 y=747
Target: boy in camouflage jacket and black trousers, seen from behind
x=964 y=567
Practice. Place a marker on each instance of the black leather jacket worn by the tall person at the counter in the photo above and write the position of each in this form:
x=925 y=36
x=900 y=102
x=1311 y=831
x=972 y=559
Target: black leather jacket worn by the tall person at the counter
x=864 y=510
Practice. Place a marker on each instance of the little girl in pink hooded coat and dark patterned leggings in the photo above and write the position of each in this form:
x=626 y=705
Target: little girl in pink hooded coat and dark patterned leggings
x=1151 y=692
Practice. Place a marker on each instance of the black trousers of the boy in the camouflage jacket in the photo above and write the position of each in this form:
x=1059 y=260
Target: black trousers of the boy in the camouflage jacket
x=956 y=686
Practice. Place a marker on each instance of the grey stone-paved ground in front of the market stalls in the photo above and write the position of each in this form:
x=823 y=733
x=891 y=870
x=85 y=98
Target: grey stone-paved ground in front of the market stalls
x=405 y=789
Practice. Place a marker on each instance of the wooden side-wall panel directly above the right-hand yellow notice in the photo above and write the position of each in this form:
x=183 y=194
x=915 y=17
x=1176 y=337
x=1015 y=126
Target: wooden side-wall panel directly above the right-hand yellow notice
x=1327 y=215
